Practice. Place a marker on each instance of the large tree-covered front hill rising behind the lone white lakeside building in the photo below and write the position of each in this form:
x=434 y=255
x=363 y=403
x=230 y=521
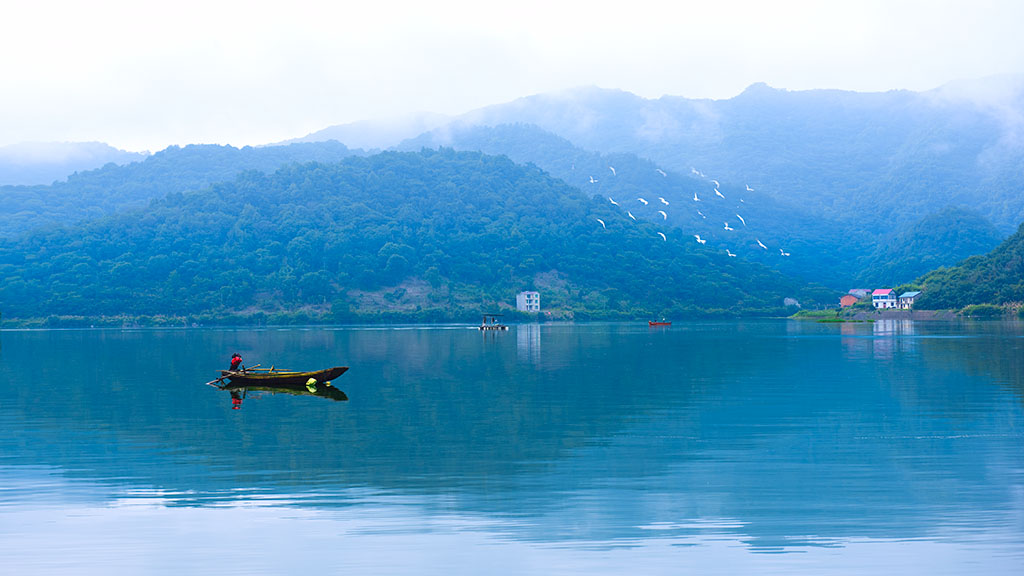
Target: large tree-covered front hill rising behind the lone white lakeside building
x=432 y=235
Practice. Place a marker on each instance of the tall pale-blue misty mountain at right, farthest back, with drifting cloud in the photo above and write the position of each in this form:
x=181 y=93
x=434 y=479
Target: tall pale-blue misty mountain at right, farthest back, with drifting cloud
x=891 y=157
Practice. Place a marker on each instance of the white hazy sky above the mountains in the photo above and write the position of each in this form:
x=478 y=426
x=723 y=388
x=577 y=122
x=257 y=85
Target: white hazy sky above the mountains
x=143 y=75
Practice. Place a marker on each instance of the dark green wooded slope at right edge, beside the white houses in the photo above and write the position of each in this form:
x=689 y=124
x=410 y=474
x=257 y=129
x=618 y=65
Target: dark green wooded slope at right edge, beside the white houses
x=996 y=278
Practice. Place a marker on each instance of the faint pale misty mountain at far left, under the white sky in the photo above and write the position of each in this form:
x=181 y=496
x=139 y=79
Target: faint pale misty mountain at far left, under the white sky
x=45 y=163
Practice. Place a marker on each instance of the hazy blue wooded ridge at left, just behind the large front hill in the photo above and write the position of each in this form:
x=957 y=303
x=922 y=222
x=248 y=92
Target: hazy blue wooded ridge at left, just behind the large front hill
x=113 y=189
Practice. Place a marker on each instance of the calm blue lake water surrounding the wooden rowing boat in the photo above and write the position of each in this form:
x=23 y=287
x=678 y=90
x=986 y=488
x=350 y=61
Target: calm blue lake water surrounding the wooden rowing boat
x=769 y=447
